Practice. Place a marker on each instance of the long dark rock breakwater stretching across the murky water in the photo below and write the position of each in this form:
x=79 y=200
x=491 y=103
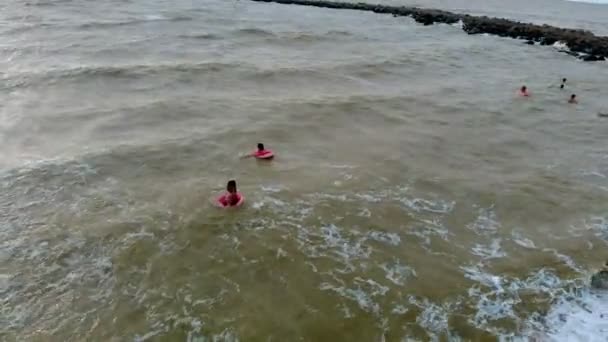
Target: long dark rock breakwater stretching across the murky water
x=581 y=44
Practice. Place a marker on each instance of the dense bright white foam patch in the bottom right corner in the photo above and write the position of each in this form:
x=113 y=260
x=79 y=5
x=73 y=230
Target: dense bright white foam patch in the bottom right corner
x=577 y=313
